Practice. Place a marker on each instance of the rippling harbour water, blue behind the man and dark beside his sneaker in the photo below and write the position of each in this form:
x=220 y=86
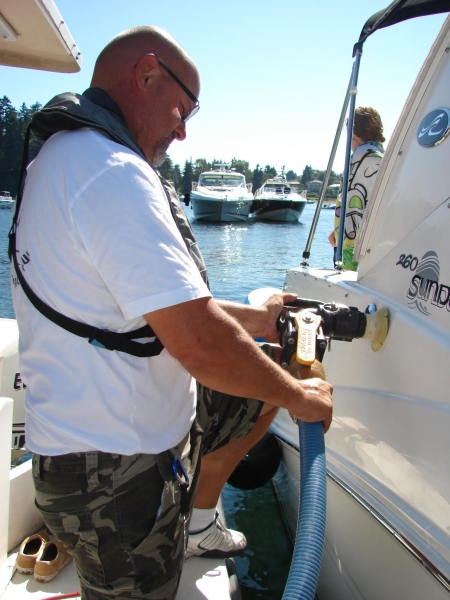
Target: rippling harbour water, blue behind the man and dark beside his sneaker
x=240 y=258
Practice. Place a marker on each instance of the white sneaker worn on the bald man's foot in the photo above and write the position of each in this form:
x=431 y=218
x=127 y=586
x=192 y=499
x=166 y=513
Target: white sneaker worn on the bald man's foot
x=216 y=541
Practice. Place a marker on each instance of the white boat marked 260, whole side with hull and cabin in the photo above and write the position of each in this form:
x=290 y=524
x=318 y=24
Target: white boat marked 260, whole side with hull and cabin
x=388 y=508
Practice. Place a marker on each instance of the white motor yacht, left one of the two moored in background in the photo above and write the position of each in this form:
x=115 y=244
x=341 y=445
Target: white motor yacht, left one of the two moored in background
x=221 y=195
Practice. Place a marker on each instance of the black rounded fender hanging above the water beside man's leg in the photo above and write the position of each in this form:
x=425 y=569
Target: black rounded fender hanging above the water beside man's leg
x=258 y=466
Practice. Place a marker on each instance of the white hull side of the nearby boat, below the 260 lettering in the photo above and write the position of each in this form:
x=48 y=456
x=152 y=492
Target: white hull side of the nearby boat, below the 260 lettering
x=388 y=509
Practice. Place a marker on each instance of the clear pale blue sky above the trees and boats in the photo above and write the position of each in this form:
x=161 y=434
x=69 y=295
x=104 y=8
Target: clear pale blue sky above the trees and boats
x=274 y=74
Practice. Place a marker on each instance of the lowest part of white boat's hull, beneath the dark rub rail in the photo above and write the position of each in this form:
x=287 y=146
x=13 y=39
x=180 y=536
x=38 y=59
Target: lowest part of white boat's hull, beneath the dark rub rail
x=357 y=535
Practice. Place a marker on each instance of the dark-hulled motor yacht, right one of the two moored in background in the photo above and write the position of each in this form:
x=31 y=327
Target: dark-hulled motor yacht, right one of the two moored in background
x=278 y=200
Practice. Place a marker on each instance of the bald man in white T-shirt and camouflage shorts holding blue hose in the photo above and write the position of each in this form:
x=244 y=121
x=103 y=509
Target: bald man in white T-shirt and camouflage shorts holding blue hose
x=118 y=328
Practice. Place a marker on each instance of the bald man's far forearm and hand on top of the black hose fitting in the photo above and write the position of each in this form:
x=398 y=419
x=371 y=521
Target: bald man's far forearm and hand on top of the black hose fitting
x=259 y=321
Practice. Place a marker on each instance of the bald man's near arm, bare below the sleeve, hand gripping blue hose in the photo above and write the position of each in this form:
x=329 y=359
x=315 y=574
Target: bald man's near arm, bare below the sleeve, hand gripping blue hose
x=218 y=352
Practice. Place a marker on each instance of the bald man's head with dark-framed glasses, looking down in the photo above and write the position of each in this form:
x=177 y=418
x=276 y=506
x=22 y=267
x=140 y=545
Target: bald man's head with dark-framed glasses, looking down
x=153 y=103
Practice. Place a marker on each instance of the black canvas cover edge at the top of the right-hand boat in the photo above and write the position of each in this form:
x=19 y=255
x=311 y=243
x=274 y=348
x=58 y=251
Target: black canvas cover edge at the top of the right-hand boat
x=398 y=11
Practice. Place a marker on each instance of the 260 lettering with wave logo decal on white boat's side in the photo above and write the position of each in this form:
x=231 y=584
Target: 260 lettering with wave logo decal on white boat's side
x=424 y=287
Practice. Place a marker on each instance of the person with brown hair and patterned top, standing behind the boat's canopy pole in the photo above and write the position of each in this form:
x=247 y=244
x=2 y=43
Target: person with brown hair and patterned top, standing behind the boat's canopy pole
x=367 y=147
